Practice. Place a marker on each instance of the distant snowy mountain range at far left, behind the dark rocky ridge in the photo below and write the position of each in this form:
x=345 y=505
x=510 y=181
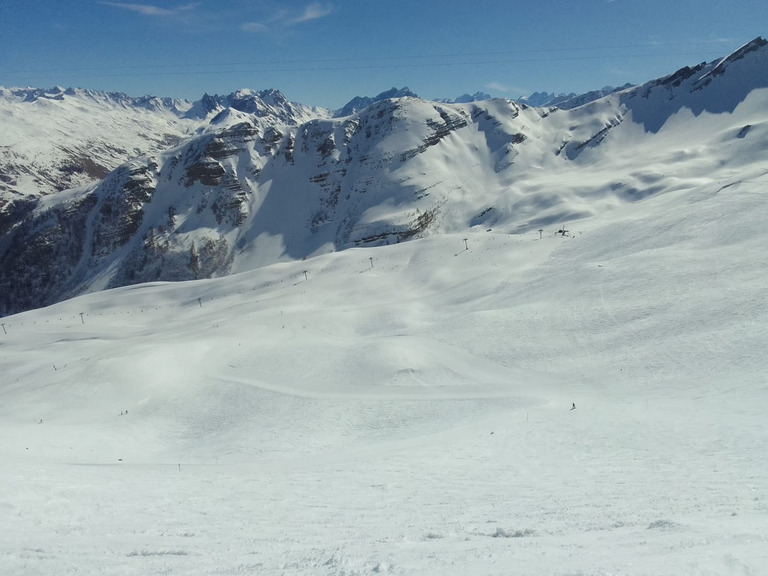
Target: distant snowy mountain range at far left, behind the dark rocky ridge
x=56 y=139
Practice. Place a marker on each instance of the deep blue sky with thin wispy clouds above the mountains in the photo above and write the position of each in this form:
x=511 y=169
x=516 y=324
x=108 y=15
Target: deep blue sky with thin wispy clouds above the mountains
x=326 y=52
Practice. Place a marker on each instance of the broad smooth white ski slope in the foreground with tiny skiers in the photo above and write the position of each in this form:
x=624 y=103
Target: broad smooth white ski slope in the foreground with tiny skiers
x=406 y=409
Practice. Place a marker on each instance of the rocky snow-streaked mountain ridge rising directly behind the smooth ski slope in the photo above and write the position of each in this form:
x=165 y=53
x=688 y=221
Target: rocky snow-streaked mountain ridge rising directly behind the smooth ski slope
x=248 y=190
